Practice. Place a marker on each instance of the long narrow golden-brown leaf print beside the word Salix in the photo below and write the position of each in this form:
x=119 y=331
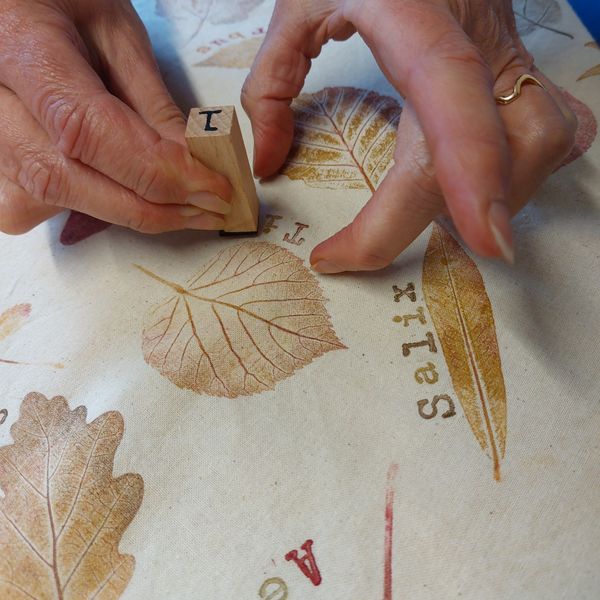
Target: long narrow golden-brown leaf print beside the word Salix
x=462 y=315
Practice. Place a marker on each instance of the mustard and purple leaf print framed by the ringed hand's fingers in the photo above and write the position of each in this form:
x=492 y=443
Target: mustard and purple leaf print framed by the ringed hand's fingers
x=345 y=138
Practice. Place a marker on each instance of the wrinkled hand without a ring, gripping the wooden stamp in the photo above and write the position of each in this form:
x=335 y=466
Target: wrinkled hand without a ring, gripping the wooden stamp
x=87 y=123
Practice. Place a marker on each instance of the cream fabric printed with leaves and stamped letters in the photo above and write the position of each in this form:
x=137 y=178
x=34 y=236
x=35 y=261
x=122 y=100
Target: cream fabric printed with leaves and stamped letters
x=232 y=485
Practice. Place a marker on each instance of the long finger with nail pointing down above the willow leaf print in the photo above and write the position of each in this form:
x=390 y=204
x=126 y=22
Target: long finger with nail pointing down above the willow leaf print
x=450 y=86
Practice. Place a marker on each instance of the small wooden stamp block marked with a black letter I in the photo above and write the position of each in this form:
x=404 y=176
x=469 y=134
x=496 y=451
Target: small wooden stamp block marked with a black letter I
x=213 y=136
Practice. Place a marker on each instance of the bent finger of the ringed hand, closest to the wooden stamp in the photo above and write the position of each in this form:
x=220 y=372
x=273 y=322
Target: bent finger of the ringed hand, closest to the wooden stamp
x=297 y=32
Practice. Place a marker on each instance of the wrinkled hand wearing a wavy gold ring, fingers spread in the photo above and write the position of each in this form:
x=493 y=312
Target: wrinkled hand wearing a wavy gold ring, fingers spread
x=460 y=153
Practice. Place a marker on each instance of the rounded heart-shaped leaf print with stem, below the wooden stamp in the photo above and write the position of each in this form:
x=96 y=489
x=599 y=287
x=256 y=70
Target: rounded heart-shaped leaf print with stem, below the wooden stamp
x=249 y=319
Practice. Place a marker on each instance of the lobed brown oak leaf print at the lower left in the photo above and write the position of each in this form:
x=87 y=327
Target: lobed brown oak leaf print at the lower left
x=62 y=514
